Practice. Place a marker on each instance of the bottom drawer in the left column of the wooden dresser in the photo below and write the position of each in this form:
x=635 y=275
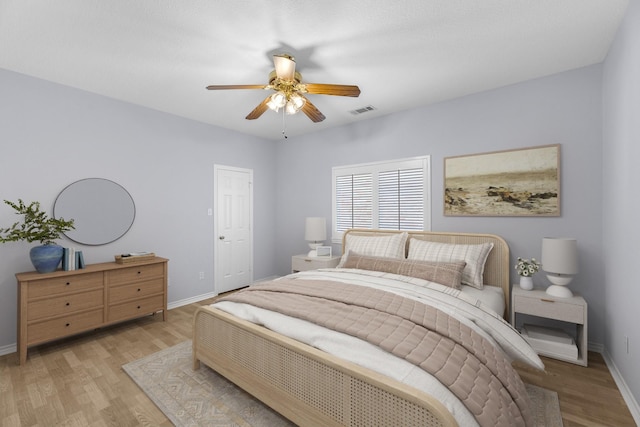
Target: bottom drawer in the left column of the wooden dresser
x=64 y=326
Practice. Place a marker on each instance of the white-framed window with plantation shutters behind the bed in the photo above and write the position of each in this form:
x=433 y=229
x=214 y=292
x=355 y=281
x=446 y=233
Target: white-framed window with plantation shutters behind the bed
x=393 y=195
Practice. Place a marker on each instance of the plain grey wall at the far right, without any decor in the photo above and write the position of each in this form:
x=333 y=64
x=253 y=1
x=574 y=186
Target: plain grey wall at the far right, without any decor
x=621 y=151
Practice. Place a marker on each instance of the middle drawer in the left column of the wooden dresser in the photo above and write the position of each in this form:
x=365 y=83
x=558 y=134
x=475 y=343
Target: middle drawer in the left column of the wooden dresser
x=55 y=306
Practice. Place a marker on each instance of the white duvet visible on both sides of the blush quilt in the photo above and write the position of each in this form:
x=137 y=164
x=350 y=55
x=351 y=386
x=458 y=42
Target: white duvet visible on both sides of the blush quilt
x=464 y=306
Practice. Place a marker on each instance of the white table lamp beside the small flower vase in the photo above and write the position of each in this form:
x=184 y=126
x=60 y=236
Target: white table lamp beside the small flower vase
x=560 y=262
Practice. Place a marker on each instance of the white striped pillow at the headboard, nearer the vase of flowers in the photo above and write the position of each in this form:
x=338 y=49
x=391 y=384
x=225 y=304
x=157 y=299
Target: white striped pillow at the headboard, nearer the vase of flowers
x=474 y=255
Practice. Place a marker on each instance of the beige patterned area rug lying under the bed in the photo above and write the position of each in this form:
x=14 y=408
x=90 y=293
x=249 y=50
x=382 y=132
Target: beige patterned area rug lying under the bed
x=204 y=398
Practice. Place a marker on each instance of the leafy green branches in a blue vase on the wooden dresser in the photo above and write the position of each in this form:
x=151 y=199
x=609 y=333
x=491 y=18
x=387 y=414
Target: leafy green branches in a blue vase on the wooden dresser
x=36 y=226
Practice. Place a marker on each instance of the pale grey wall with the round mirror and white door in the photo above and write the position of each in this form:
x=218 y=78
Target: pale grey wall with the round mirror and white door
x=52 y=135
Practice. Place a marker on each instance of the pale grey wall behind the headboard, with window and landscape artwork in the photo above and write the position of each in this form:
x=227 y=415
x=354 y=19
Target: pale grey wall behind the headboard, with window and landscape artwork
x=562 y=109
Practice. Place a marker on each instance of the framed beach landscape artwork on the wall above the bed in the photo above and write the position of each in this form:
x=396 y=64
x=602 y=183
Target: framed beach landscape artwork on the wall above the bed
x=522 y=182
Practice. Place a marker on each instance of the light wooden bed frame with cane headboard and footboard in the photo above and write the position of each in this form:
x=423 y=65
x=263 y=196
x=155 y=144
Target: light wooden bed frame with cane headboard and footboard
x=311 y=387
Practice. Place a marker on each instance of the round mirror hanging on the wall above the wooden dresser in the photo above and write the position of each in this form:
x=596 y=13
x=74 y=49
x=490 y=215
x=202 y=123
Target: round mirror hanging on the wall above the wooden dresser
x=102 y=210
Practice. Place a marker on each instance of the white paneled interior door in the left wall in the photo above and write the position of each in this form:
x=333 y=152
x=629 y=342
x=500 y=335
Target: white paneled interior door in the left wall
x=233 y=223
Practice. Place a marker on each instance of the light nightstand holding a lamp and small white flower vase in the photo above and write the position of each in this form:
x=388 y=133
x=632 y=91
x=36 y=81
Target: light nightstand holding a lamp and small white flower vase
x=572 y=310
